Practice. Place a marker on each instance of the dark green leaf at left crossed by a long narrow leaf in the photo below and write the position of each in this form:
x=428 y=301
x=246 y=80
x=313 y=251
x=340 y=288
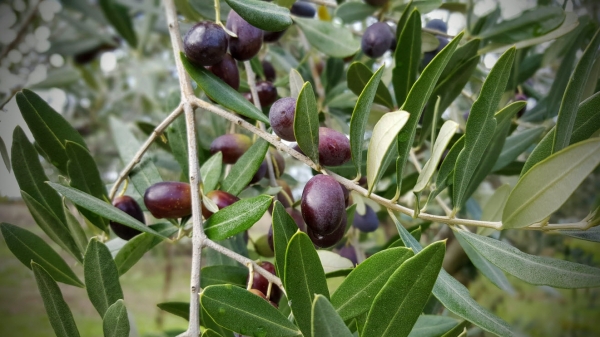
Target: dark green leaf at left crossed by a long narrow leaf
x=85 y=177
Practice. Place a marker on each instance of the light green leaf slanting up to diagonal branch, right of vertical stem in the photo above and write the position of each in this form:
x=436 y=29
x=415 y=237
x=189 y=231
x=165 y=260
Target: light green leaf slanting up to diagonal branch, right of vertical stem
x=244 y=169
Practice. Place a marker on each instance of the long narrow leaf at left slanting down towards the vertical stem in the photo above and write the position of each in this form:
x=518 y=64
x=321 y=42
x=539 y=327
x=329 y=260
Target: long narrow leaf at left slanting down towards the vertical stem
x=102 y=208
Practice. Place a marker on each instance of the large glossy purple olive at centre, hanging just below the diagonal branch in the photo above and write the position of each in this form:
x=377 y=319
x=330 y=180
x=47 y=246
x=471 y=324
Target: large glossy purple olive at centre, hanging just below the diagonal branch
x=322 y=204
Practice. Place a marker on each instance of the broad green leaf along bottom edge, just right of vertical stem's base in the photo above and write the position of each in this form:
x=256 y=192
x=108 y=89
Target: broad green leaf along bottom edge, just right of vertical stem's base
x=241 y=311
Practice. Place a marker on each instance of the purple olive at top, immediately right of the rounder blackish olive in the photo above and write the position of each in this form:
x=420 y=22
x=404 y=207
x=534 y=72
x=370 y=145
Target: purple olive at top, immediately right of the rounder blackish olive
x=249 y=39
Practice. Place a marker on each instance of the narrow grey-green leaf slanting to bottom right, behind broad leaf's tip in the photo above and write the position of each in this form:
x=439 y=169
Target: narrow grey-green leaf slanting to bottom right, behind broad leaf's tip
x=455 y=297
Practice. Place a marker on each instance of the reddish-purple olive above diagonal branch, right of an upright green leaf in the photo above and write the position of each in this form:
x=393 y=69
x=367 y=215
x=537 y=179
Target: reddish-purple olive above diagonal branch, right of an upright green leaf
x=334 y=147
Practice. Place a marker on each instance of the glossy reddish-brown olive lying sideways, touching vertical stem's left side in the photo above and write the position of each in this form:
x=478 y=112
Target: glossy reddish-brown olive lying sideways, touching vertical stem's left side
x=169 y=199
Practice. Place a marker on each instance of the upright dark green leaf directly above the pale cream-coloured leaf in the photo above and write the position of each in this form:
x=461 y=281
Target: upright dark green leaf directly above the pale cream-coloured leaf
x=407 y=57
